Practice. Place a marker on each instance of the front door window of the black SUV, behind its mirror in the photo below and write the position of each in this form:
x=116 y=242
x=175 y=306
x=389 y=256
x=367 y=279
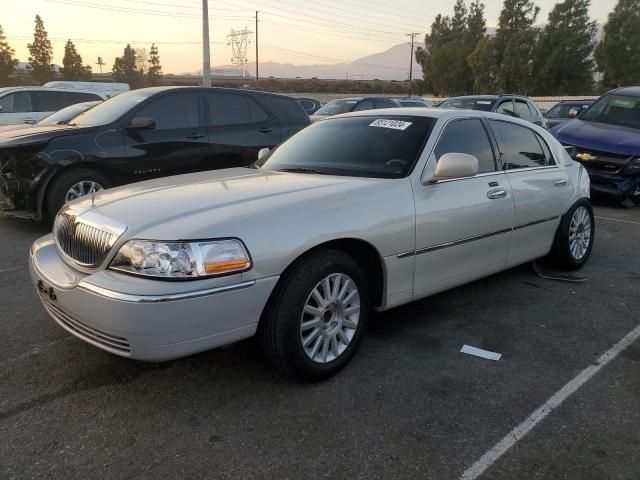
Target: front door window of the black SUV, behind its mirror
x=172 y=112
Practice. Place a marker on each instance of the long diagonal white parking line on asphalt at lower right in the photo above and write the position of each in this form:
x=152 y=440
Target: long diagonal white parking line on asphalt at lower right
x=515 y=435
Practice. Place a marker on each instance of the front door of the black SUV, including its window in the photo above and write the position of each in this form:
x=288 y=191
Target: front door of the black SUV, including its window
x=177 y=144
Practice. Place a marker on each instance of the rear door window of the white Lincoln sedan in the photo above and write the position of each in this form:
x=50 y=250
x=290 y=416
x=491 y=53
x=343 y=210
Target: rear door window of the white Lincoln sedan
x=520 y=146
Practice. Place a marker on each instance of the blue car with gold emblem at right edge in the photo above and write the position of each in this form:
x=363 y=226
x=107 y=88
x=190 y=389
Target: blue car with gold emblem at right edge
x=606 y=140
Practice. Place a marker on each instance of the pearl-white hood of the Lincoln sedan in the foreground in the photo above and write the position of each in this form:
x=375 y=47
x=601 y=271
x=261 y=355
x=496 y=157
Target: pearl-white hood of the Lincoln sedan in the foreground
x=193 y=204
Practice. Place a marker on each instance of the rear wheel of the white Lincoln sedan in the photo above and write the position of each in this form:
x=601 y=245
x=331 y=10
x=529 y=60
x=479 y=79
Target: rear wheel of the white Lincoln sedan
x=574 y=238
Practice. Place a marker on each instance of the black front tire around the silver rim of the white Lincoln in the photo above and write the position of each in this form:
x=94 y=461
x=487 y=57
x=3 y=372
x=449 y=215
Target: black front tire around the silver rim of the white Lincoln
x=279 y=330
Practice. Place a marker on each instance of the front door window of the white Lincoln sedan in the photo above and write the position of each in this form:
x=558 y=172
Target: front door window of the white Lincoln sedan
x=470 y=137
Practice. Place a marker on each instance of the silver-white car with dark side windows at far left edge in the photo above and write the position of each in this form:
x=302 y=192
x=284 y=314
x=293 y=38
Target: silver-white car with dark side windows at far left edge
x=31 y=104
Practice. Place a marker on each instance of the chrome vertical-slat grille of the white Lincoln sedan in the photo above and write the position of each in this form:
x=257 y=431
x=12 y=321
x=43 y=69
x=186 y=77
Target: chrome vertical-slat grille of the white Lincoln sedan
x=85 y=244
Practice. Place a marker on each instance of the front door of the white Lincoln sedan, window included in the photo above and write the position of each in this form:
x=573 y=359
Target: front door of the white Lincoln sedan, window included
x=463 y=226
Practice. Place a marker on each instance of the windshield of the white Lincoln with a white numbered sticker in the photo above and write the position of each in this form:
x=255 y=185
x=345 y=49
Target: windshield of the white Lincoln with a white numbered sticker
x=372 y=146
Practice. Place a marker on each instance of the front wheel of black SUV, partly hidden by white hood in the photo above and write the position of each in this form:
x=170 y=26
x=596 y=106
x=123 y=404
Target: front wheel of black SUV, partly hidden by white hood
x=73 y=184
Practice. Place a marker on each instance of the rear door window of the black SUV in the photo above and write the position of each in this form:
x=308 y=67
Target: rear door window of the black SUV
x=232 y=109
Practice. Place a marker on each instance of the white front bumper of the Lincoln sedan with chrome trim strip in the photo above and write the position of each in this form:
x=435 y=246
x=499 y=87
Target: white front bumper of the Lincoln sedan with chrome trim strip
x=157 y=327
